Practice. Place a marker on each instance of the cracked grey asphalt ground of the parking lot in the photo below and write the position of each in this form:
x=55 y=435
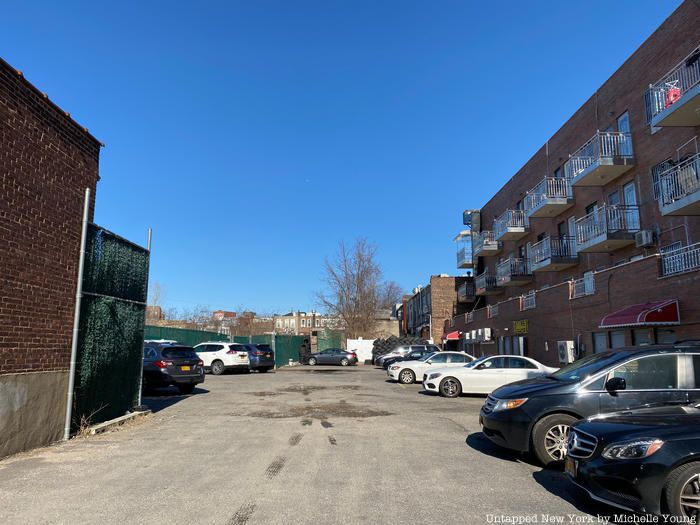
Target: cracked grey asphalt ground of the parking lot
x=302 y=445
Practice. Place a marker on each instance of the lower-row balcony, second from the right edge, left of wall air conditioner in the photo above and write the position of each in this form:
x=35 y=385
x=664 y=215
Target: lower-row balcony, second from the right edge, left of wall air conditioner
x=607 y=228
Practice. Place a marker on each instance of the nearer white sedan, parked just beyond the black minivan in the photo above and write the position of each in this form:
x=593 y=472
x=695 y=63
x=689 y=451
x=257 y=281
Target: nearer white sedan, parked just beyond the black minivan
x=484 y=375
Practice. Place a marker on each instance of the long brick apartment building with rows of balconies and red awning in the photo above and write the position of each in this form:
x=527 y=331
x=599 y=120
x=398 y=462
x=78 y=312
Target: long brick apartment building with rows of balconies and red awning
x=595 y=242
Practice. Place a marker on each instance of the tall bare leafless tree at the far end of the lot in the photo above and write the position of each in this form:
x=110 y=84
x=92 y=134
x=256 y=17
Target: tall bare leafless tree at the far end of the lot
x=353 y=288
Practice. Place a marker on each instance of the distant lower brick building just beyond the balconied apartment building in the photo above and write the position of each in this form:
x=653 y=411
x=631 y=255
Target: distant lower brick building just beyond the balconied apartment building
x=430 y=307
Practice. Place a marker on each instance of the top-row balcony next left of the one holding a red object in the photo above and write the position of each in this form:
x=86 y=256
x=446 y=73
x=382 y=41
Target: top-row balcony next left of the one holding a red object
x=606 y=156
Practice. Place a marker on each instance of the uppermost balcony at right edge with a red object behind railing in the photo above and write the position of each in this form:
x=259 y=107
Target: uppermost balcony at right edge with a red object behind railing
x=675 y=99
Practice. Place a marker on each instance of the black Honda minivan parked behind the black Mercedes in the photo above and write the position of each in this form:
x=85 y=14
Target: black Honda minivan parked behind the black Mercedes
x=535 y=415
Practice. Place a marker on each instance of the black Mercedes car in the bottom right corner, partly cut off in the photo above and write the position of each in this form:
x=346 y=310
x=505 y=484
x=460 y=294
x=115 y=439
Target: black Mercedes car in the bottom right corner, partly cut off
x=646 y=460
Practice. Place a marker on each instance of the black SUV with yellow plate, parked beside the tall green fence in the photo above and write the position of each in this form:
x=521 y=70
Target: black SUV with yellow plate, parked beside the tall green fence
x=171 y=365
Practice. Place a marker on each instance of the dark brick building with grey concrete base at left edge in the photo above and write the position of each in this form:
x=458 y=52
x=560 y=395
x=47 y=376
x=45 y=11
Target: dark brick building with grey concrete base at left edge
x=46 y=162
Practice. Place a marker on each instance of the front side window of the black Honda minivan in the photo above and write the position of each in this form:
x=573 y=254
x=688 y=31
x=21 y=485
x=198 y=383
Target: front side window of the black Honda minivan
x=659 y=372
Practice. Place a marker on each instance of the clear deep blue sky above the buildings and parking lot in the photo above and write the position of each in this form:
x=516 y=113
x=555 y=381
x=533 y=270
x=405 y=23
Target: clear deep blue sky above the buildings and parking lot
x=253 y=136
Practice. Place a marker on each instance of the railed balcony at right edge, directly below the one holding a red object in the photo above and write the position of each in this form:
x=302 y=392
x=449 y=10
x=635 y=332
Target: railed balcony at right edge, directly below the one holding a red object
x=679 y=188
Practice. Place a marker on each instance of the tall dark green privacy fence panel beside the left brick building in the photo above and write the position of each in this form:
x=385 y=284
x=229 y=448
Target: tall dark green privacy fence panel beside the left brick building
x=111 y=329
